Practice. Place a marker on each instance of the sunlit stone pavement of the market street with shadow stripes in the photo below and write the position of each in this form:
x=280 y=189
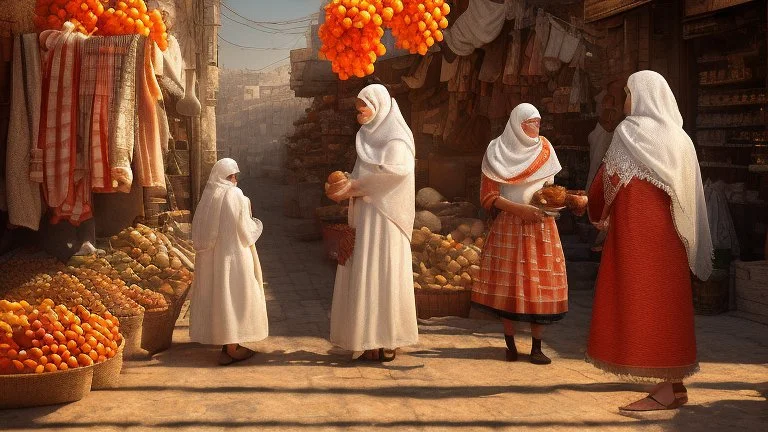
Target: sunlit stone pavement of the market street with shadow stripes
x=454 y=379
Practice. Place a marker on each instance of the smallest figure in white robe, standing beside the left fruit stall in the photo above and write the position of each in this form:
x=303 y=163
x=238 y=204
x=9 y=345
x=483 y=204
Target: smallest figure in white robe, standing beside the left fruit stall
x=228 y=305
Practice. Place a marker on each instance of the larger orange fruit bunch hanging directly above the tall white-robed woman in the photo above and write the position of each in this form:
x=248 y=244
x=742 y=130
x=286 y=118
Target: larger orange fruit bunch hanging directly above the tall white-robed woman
x=351 y=36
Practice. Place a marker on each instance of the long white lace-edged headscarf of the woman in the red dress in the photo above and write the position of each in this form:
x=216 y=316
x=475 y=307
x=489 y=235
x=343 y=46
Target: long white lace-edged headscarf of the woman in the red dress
x=651 y=144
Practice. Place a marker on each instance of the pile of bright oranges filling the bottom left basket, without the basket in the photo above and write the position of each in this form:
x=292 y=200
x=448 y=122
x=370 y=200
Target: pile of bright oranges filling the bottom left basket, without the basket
x=48 y=338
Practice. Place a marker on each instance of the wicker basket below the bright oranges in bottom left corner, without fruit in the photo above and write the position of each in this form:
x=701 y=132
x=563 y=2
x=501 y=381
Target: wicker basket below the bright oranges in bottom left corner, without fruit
x=51 y=388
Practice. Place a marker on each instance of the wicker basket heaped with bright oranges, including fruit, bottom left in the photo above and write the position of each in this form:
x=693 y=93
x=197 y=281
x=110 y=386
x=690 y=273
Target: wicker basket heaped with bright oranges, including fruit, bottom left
x=48 y=352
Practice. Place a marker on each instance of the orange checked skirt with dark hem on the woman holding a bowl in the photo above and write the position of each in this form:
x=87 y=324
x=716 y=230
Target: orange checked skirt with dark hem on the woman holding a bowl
x=522 y=274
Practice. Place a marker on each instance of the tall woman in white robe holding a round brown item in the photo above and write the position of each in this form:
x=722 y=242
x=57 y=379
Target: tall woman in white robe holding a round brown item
x=373 y=300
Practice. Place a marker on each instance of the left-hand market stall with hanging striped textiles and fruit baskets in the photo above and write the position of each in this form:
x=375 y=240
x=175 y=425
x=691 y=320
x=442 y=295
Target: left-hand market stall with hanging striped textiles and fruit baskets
x=97 y=165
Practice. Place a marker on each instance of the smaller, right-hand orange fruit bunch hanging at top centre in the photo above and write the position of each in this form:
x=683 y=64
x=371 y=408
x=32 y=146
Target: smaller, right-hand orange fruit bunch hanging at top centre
x=420 y=25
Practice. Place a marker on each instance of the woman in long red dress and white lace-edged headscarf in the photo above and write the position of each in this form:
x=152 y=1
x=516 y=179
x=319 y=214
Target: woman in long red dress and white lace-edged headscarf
x=649 y=197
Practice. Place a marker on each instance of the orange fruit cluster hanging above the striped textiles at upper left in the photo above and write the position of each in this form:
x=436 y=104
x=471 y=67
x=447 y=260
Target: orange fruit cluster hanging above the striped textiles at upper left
x=95 y=17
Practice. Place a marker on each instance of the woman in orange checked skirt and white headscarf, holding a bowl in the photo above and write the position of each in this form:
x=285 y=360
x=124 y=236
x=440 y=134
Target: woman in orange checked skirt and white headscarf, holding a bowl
x=522 y=273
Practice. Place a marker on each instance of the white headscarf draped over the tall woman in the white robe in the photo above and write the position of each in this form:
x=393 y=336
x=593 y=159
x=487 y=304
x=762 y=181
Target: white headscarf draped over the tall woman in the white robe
x=385 y=159
